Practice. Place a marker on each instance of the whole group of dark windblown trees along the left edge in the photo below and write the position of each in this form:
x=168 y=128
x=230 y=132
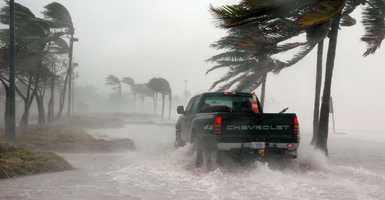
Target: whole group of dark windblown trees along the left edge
x=44 y=61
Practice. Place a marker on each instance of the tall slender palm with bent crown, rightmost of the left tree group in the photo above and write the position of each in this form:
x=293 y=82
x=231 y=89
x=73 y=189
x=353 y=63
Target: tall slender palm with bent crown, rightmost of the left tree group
x=61 y=18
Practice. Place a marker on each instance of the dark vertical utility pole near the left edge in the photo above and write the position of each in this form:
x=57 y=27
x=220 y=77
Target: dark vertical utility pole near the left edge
x=11 y=132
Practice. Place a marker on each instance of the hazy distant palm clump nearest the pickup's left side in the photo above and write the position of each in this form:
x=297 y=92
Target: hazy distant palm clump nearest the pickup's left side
x=161 y=86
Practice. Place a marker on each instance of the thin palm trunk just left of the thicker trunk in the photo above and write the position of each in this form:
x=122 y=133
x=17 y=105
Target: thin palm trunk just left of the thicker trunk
x=317 y=92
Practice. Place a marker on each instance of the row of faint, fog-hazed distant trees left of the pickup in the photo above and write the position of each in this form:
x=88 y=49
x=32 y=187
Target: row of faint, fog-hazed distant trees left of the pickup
x=154 y=88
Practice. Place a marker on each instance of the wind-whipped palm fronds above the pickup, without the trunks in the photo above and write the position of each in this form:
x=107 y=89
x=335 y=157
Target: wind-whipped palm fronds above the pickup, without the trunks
x=259 y=31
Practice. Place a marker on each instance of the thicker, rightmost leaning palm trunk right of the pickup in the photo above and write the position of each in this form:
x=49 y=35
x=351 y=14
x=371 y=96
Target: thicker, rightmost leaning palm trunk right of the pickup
x=324 y=116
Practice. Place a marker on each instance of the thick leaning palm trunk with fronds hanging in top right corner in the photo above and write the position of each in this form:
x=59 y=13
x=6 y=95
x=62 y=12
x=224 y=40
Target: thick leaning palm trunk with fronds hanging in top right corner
x=373 y=20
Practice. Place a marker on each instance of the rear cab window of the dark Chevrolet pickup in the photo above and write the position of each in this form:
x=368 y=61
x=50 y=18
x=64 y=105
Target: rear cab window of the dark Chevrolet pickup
x=226 y=104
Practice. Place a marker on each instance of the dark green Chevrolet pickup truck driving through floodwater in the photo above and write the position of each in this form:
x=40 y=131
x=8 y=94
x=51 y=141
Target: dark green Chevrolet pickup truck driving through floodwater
x=219 y=122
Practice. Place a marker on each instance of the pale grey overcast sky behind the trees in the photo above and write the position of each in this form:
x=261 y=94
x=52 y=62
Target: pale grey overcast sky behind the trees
x=170 y=39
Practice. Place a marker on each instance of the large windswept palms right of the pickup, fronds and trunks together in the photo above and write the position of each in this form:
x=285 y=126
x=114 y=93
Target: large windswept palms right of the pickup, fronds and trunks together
x=258 y=32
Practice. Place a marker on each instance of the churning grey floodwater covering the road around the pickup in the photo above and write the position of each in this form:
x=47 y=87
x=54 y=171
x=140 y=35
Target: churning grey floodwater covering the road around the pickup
x=355 y=170
